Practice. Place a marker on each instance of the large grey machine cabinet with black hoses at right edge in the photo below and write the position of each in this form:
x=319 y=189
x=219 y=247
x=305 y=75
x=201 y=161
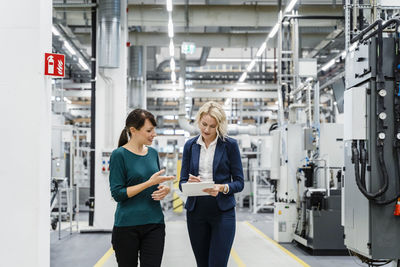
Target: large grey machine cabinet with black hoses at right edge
x=372 y=144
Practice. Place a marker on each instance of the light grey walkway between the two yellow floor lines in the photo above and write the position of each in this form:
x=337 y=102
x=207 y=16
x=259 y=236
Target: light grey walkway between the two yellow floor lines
x=251 y=248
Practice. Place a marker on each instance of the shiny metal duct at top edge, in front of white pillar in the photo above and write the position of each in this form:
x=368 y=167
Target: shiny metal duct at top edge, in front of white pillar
x=109 y=33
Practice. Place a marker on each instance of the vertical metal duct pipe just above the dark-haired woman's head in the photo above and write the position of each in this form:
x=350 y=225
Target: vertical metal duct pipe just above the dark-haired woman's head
x=136 y=81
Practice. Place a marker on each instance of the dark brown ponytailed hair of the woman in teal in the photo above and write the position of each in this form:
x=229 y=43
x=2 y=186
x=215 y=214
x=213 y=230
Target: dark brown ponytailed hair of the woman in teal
x=135 y=119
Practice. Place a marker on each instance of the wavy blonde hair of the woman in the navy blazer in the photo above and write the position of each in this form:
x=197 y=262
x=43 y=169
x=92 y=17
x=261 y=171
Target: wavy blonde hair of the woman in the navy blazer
x=216 y=111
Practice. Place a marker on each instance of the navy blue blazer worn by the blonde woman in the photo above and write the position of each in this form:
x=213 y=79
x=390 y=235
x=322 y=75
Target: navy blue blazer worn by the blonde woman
x=227 y=169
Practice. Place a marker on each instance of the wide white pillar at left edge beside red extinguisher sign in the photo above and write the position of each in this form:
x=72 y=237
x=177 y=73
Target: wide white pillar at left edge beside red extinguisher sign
x=25 y=133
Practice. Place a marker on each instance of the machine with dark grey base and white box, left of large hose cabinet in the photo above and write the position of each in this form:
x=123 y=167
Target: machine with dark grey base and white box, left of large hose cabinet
x=318 y=226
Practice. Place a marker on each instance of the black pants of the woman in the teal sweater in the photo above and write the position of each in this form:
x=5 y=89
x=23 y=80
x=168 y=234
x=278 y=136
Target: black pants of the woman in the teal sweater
x=145 y=240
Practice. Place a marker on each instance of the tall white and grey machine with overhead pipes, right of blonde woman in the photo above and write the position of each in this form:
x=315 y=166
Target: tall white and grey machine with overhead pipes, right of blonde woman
x=307 y=157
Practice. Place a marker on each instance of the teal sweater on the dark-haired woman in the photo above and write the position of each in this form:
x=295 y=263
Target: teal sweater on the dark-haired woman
x=127 y=169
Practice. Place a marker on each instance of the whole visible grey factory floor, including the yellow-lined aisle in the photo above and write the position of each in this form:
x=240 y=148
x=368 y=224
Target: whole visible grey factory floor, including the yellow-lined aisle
x=253 y=247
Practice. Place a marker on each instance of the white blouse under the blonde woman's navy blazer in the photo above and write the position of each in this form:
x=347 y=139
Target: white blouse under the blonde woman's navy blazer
x=206 y=159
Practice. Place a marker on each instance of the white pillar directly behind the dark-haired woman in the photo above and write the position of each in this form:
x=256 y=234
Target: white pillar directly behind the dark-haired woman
x=111 y=111
